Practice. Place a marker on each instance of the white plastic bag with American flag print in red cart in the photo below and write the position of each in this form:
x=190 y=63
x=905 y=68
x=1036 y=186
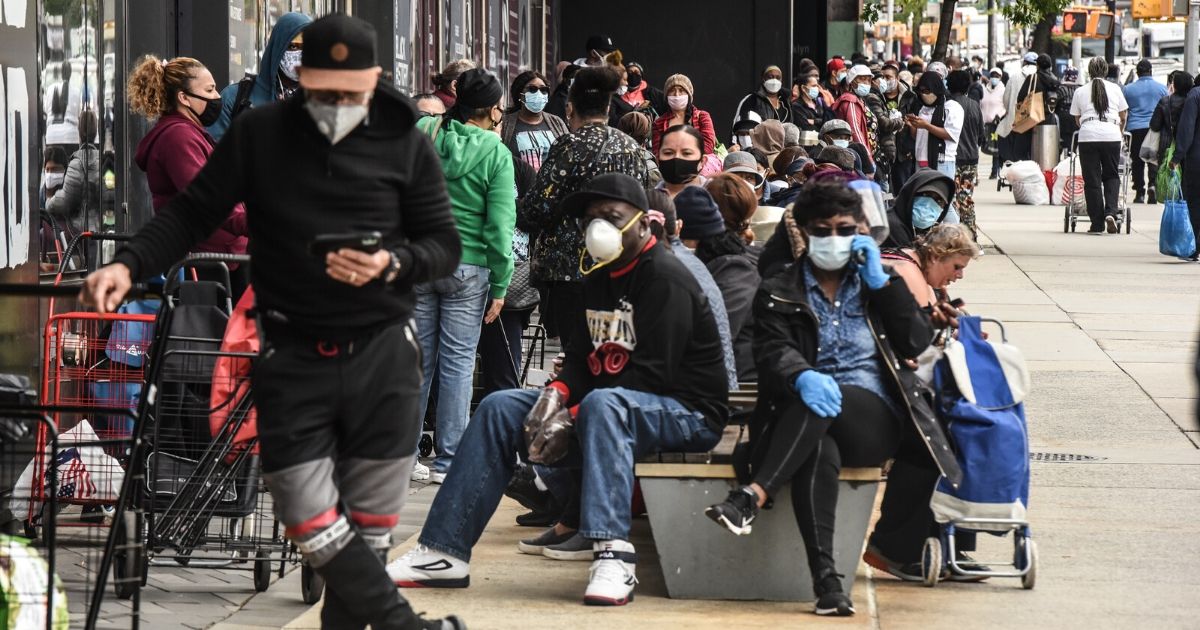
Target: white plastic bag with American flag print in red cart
x=86 y=473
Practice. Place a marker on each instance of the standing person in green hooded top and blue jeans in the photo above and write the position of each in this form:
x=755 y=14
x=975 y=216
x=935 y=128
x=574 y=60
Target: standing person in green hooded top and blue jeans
x=451 y=313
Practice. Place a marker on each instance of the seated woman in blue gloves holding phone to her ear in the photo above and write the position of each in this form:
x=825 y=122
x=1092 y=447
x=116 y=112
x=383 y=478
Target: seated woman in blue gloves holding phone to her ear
x=830 y=334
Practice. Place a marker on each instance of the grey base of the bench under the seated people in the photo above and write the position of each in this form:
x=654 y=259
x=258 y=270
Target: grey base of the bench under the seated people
x=704 y=561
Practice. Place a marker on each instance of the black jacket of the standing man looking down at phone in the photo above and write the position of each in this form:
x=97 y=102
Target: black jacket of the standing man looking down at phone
x=385 y=177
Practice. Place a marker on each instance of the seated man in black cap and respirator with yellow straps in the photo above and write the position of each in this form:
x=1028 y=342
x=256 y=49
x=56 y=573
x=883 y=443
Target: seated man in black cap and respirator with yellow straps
x=653 y=380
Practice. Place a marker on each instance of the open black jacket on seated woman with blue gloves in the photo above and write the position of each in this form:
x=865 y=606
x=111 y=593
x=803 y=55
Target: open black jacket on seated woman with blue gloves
x=787 y=345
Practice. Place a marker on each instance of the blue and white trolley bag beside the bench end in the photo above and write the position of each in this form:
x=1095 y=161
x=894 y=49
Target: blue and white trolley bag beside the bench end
x=987 y=424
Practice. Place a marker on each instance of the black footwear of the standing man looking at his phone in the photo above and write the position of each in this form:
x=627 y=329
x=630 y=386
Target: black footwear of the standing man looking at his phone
x=362 y=592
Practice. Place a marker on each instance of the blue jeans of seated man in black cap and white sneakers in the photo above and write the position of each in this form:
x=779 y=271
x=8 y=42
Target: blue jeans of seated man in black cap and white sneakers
x=614 y=428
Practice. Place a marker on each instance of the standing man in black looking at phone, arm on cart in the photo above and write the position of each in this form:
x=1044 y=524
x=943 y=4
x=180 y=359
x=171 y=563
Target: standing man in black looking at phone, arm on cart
x=335 y=386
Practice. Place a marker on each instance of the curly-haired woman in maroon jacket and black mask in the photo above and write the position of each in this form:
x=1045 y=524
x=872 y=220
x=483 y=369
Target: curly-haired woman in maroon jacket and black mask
x=184 y=99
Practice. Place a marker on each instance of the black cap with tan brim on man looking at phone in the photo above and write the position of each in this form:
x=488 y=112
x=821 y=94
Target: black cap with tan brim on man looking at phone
x=340 y=55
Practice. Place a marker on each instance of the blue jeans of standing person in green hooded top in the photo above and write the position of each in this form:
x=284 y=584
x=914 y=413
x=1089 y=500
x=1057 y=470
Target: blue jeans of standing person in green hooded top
x=449 y=316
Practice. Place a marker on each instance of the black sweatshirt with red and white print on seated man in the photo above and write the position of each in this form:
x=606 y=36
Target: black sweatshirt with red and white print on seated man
x=652 y=331
